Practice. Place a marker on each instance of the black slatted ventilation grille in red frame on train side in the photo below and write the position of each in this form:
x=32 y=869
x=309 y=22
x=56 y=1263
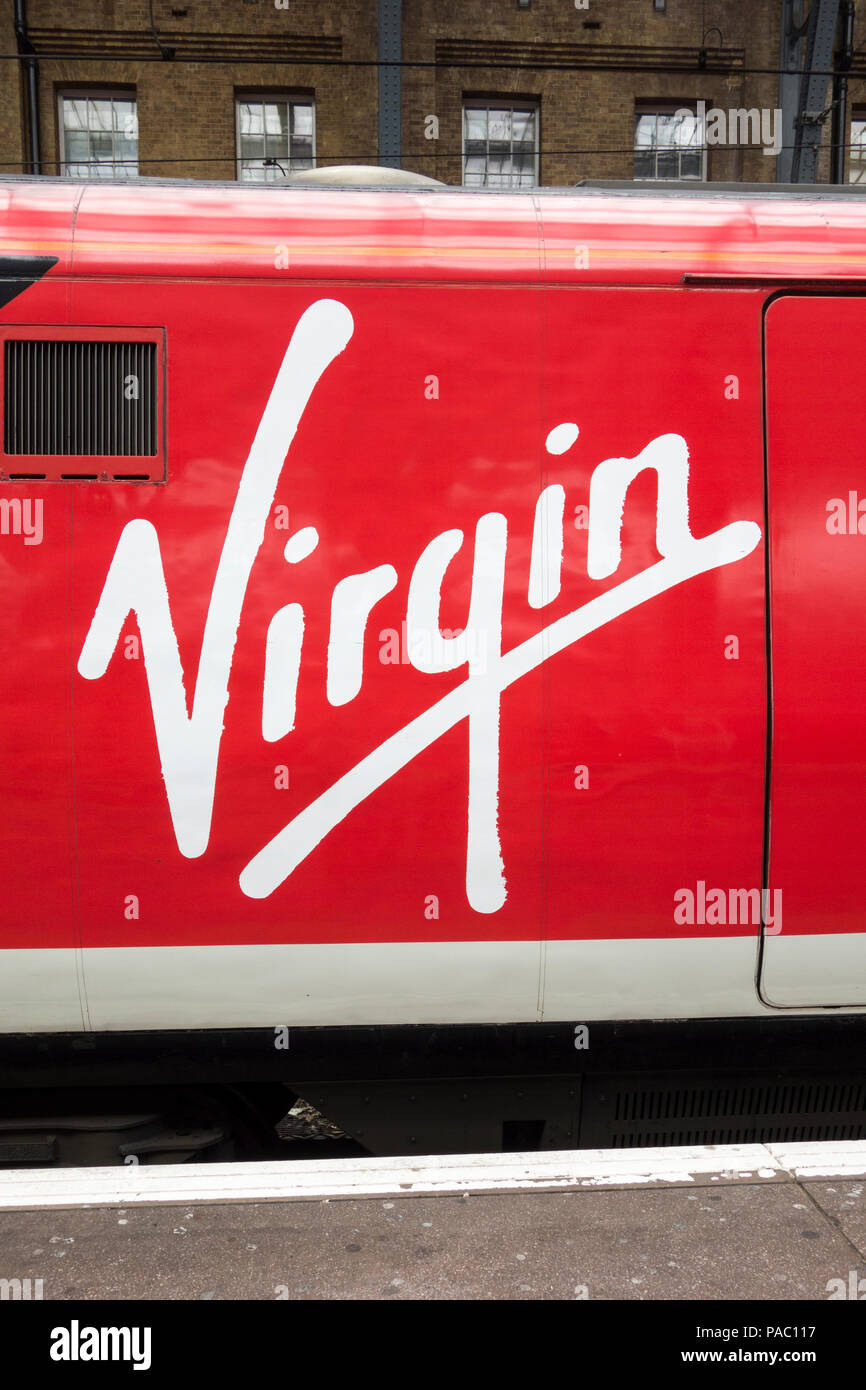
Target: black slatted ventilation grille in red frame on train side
x=80 y=400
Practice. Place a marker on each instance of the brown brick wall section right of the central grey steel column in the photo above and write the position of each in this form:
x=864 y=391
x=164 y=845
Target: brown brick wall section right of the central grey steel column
x=587 y=117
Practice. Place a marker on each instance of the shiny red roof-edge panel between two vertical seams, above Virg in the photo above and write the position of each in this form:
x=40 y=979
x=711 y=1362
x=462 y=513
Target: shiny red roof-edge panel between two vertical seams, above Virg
x=295 y=234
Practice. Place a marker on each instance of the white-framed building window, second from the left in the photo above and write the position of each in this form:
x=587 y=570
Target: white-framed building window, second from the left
x=276 y=138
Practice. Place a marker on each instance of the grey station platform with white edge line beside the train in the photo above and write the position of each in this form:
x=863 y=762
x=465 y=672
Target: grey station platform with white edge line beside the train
x=732 y=1223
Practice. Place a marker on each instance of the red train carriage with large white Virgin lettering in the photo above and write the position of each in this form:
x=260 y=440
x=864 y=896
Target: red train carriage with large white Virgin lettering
x=430 y=616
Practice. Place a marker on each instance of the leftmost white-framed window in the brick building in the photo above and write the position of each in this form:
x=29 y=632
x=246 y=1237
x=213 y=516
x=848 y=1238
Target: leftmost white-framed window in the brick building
x=99 y=136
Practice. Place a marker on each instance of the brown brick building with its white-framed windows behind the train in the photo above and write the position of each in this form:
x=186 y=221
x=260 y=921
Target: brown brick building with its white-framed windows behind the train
x=487 y=92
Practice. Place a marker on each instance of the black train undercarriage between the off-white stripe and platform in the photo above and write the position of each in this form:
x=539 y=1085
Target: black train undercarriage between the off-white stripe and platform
x=222 y=1097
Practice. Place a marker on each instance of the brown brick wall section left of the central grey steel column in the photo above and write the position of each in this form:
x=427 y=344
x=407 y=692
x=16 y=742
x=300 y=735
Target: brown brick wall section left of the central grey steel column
x=187 y=109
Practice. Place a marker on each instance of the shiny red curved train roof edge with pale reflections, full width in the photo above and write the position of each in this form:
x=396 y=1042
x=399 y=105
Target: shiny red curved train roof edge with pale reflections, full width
x=597 y=233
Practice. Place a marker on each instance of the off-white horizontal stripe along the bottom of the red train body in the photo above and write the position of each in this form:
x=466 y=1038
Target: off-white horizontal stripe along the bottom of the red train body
x=420 y=982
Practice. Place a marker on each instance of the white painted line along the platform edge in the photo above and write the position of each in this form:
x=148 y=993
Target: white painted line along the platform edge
x=436 y=1175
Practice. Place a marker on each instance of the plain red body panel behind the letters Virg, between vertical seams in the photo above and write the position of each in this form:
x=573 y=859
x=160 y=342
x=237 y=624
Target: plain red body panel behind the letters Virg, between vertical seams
x=423 y=425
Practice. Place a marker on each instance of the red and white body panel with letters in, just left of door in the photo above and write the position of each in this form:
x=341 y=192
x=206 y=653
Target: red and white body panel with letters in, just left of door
x=655 y=751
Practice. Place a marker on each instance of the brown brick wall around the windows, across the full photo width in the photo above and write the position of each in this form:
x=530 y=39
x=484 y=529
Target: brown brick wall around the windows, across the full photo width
x=187 y=109
